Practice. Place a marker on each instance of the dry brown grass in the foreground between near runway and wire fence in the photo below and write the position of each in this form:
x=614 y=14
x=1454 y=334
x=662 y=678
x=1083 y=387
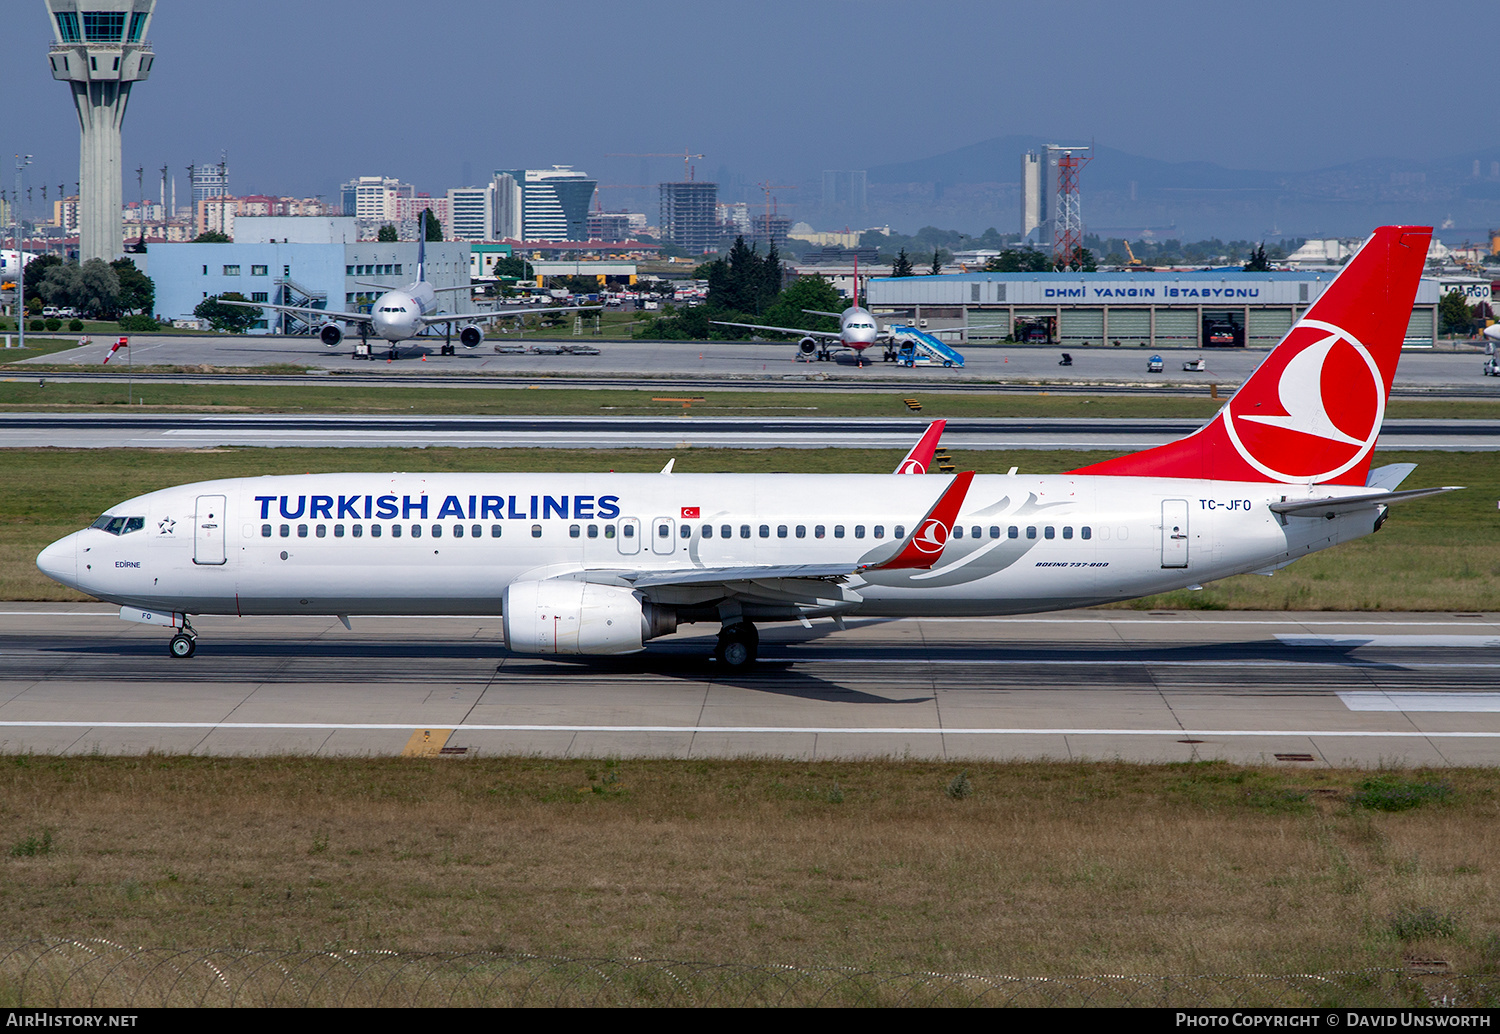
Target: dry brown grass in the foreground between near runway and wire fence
x=1030 y=870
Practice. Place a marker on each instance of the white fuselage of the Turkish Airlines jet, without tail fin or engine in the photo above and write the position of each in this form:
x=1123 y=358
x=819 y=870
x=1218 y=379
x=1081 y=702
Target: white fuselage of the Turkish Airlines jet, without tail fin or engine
x=451 y=544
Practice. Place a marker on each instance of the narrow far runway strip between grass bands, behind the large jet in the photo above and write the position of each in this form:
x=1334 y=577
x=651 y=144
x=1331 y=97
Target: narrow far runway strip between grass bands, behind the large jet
x=193 y=431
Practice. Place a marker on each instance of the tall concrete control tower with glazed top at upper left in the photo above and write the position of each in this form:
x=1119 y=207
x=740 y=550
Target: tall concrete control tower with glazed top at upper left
x=101 y=52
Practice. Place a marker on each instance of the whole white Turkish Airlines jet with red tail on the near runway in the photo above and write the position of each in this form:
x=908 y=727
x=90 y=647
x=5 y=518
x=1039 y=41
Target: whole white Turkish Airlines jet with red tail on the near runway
x=602 y=564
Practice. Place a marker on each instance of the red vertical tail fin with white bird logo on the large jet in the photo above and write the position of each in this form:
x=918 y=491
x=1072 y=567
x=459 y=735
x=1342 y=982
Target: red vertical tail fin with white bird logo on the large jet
x=1312 y=412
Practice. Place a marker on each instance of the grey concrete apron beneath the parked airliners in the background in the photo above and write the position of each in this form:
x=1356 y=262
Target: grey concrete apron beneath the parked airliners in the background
x=745 y=364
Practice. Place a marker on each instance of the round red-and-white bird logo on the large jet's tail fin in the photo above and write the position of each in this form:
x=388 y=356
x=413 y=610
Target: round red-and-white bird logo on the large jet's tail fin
x=1313 y=409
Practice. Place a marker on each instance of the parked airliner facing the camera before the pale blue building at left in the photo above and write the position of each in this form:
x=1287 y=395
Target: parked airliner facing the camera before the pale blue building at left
x=406 y=313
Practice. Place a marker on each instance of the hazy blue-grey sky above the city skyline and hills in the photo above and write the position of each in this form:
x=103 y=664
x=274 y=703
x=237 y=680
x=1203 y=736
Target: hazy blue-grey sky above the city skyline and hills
x=307 y=95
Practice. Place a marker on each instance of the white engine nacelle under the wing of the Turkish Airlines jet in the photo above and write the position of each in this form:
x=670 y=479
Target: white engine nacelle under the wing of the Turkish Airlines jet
x=568 y=618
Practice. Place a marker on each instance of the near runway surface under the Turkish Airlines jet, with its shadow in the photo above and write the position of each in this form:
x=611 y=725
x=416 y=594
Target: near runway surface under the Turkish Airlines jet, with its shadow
x=1297 y=690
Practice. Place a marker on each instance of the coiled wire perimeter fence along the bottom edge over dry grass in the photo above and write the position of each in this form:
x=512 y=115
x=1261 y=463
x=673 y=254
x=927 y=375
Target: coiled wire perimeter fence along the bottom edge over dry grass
x=73 y=975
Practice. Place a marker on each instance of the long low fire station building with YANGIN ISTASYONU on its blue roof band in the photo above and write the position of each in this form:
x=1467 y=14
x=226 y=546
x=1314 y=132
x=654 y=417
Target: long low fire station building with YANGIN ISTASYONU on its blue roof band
x=1192 y=310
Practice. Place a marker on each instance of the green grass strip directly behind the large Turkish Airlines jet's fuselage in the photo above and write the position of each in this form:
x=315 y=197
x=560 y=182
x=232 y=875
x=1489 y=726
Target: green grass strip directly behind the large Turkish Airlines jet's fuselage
x=1439 y=555
